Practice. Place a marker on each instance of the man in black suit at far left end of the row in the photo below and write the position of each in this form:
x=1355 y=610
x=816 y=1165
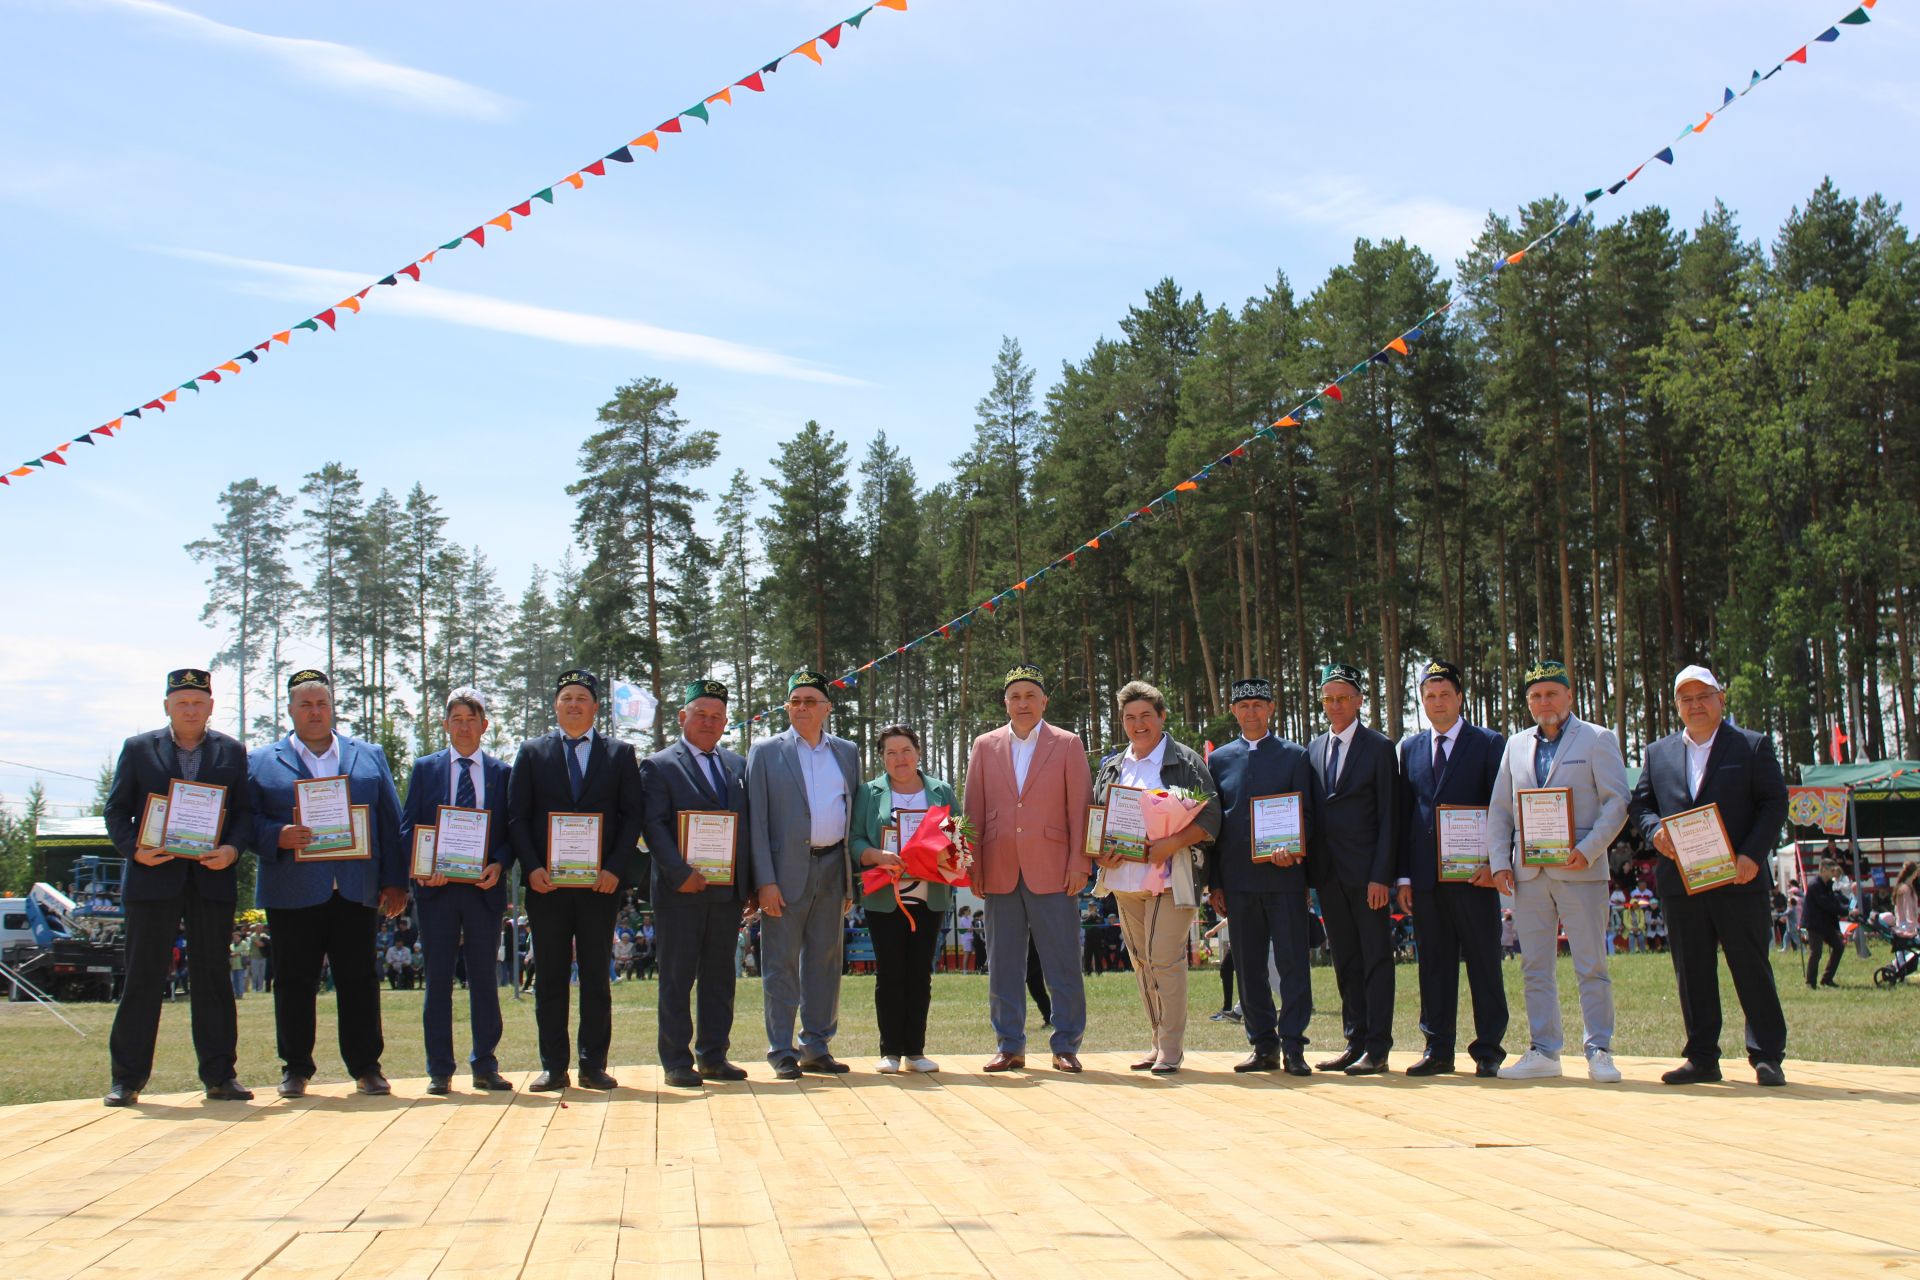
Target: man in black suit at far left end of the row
x=160 y=891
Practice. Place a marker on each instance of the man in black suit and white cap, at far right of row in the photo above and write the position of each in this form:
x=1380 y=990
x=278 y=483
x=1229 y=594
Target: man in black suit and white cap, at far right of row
x=1712 y=803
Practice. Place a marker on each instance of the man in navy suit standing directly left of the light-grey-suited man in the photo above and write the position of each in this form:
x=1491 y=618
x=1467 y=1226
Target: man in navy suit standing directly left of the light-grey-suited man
x=1452 y=763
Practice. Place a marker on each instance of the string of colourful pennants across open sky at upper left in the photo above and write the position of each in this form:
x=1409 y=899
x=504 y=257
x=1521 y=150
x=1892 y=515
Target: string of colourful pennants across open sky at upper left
x=500 y=224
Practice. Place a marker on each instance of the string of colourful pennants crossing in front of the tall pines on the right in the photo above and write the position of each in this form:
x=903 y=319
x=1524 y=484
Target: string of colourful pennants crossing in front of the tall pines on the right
x=1397 y=346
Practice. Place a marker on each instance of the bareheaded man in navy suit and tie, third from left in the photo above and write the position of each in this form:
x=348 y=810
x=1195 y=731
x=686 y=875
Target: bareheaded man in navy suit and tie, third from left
x=462 y=918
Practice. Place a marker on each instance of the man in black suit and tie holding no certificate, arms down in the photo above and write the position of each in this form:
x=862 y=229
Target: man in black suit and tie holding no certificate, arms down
x=1351 y=861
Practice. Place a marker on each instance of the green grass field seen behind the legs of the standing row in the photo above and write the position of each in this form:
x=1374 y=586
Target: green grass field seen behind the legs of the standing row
x=1858 y=1024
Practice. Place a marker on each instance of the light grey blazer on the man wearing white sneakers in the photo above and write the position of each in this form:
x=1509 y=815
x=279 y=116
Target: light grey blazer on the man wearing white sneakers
x=1589 y=763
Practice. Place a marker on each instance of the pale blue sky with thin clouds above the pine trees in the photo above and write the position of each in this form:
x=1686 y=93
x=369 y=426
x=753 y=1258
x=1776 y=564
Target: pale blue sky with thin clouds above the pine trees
x=185 y=179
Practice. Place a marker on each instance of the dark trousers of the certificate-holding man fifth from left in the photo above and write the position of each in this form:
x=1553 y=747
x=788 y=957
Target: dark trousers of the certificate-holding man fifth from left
x=694 y=937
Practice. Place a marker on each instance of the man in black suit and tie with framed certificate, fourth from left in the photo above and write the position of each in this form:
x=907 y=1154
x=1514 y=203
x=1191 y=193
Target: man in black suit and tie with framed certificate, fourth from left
x=575 y=770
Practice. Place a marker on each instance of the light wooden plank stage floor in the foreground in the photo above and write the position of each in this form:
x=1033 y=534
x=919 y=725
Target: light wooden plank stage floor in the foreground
x=1109 y=1175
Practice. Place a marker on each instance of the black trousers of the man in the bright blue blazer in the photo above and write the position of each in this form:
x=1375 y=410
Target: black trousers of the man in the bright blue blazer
x=341 y=934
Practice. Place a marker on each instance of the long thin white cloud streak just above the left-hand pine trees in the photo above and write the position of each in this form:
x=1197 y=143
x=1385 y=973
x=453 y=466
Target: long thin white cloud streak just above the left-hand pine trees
x=510 y=318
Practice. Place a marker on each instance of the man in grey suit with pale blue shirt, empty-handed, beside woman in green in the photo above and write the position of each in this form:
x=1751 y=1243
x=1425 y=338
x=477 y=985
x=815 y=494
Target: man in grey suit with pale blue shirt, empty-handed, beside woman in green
x=800 y=799
